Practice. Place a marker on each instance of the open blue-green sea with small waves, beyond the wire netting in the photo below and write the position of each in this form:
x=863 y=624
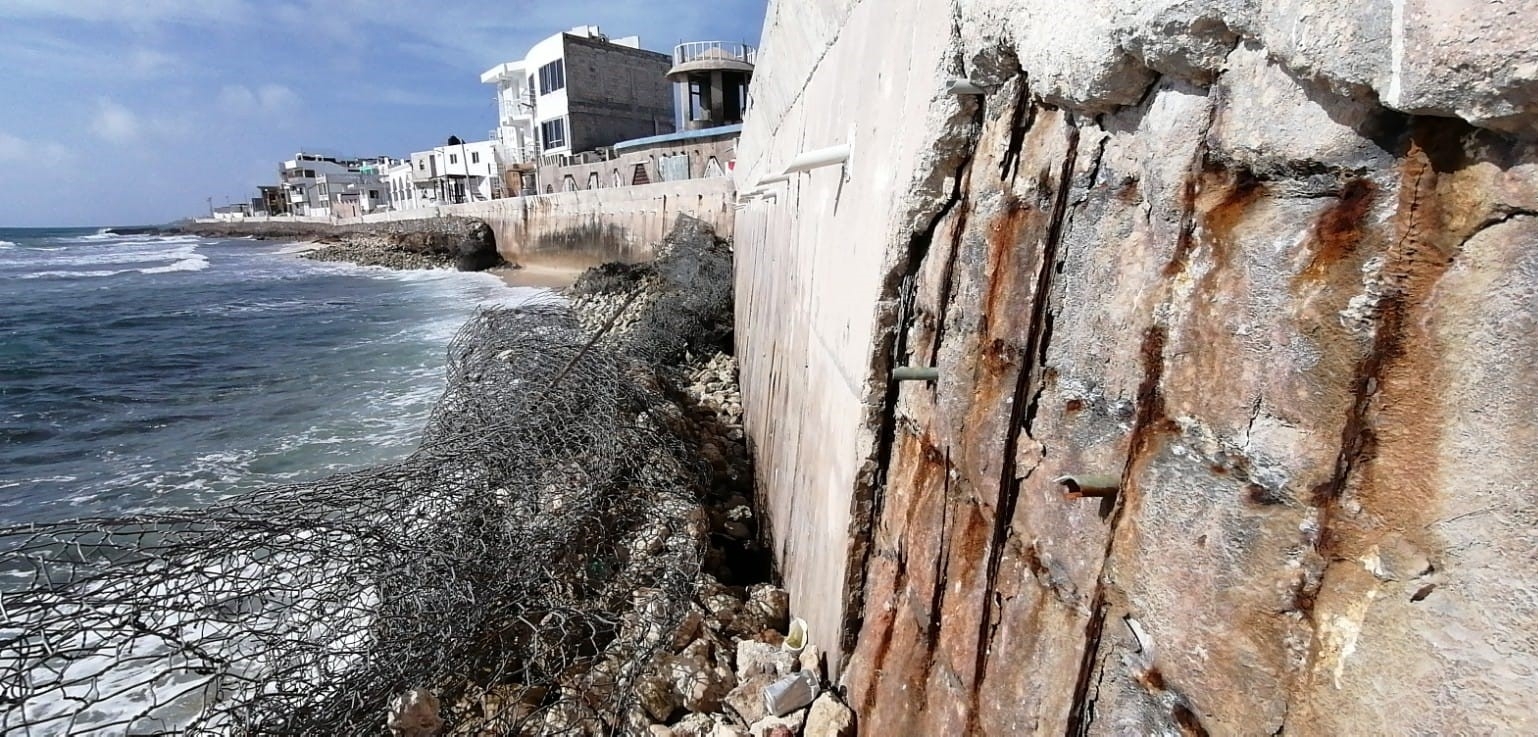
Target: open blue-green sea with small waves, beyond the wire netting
x=155 y=373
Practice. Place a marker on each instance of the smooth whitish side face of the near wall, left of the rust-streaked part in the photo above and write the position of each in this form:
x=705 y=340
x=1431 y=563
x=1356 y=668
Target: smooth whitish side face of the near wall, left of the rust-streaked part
x=816 y=268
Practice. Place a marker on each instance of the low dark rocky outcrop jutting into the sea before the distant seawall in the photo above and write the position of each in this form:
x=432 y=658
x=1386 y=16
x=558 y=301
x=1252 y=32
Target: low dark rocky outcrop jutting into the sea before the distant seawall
x=433 y=244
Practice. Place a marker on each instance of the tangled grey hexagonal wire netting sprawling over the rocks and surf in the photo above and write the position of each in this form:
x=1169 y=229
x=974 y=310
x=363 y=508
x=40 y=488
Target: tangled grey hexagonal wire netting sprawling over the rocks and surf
x=524 y=565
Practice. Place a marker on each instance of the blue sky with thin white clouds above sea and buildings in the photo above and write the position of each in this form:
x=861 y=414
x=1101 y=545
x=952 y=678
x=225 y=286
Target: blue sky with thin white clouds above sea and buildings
x=138 y=112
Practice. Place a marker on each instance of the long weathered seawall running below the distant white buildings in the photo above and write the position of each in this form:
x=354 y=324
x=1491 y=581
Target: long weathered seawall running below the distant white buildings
x=590 y=225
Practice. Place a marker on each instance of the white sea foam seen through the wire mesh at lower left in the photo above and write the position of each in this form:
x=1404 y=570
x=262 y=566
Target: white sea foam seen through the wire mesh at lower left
x=127 y=681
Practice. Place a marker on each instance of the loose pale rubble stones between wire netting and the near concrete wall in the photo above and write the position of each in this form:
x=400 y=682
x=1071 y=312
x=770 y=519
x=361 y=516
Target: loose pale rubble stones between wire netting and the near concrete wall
x=741 y=664
